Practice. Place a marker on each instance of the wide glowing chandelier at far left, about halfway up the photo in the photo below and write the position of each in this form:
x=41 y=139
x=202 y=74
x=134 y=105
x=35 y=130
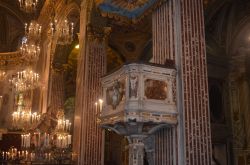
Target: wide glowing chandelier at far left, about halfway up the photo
x=25 y=80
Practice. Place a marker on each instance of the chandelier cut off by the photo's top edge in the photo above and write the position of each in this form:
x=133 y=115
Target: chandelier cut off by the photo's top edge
x=28 y=6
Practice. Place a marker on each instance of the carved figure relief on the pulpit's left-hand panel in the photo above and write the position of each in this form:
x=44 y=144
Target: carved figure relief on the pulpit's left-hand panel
x=115 y=94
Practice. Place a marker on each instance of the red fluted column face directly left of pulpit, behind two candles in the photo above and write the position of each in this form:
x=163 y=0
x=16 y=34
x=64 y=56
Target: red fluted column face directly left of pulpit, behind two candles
x=92 y=135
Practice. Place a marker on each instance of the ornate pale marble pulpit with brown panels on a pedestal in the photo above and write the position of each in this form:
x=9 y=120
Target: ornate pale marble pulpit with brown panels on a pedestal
x=139 y=99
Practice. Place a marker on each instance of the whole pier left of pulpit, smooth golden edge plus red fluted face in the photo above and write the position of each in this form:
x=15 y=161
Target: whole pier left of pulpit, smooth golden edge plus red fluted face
x=88 y=137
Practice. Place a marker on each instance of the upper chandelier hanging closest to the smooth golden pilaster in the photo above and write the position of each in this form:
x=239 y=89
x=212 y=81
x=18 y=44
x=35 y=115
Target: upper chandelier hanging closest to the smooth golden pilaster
x=64 y=31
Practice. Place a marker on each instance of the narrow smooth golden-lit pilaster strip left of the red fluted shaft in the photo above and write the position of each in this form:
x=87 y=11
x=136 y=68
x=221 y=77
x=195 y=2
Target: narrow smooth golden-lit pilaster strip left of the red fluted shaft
x=80 y=79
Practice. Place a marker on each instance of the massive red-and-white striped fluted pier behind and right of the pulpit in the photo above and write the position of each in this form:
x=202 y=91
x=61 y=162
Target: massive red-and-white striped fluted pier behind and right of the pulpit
x=178 y=34
